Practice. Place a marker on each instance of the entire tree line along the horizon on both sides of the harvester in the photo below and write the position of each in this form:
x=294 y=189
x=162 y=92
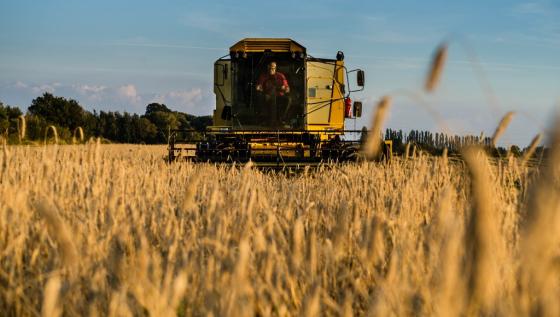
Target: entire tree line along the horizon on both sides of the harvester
x=152 y=127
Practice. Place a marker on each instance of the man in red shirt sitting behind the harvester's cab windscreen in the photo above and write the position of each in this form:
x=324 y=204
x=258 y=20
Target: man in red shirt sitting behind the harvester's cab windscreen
x=275 y=88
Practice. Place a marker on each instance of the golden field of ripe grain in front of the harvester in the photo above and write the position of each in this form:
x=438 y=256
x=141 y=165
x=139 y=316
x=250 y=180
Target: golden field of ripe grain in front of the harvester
x=112 y=230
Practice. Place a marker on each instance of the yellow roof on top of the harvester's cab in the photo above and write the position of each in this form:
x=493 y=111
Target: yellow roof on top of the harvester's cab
x=258 y=45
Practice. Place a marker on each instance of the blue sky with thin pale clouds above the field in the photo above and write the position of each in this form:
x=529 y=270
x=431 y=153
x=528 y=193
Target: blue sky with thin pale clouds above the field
x=122 y=55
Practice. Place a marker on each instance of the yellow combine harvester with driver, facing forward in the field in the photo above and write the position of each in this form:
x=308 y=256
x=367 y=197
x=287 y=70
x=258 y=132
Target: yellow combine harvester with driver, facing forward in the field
x=277 y=106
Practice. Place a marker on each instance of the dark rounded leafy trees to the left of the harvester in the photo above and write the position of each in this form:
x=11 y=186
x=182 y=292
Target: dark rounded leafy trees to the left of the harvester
x=67 y=116
